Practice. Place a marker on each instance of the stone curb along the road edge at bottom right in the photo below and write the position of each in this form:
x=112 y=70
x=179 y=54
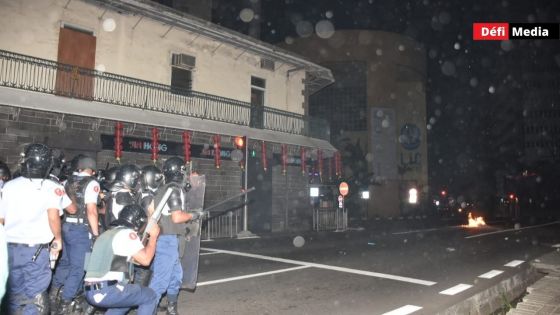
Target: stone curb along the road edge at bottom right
x=493 y=298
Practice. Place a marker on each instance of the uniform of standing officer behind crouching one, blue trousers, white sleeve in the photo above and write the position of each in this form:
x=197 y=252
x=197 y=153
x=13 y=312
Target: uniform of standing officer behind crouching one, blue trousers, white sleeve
x=76 y=236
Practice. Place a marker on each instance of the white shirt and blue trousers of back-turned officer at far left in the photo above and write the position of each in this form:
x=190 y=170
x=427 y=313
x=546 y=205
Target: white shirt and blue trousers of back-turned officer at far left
x=23 y=207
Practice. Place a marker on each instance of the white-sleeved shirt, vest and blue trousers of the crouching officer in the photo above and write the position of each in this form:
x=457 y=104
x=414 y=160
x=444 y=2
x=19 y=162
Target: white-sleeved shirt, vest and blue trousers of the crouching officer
x=106 y=278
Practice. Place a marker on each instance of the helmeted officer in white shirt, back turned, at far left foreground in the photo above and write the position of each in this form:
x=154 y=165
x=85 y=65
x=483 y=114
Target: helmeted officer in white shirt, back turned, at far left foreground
x=30 y=210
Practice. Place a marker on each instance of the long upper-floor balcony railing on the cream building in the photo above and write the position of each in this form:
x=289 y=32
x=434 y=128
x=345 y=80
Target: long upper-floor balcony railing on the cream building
x=46 y=76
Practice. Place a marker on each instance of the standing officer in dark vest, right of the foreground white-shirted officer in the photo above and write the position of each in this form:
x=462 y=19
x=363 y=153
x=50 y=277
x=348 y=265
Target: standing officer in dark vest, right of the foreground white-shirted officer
x=78 y=232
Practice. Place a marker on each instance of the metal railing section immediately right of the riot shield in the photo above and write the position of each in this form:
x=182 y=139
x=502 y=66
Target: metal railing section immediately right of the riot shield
x=222 y=226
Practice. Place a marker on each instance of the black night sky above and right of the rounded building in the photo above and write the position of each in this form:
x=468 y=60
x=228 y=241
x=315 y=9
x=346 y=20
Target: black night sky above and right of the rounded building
x=470 y=83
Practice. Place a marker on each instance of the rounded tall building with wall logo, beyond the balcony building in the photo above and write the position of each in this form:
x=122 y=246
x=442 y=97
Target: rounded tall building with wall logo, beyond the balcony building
x=377 y=112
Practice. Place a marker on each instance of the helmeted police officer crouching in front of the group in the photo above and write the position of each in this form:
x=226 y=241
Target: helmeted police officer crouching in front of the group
x=106 y=282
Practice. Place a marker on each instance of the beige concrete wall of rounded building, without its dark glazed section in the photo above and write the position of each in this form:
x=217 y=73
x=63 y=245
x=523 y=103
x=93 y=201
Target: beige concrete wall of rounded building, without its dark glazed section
x=396 y=78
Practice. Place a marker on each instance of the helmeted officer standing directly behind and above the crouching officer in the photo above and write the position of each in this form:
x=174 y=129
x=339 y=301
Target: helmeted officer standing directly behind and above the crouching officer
x=123 y=191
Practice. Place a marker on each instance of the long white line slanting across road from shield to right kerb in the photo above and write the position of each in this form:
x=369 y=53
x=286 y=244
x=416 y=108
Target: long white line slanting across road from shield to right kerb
x=328 y=267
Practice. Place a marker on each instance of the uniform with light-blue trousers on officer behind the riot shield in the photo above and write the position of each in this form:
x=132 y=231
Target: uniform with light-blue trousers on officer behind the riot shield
x=167 y=271
